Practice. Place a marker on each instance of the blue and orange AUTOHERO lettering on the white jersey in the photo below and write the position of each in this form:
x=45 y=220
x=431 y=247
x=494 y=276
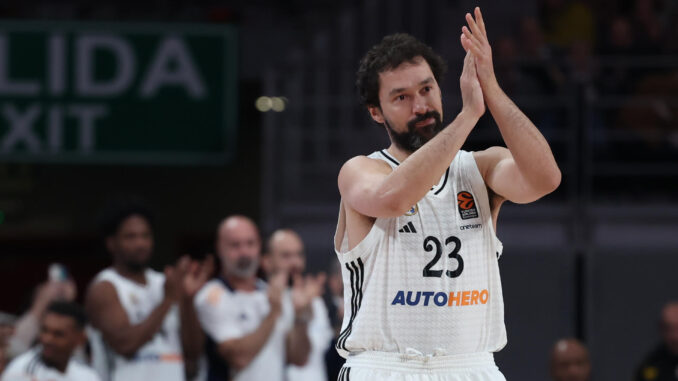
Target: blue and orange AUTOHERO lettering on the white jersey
x=441 y=299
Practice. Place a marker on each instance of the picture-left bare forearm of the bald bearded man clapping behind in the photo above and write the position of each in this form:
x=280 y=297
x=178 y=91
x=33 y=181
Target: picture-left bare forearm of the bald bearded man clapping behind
x=240 y=352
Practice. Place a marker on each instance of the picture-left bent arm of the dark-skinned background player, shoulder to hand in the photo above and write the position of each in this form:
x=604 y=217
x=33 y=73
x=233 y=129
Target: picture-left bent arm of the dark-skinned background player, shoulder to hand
x=108 y=316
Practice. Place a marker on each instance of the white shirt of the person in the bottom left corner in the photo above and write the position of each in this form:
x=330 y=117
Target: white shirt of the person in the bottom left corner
x=30 y=367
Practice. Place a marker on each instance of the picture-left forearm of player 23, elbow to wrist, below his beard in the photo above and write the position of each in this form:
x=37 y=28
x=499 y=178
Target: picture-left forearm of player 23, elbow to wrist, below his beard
x=408 y=182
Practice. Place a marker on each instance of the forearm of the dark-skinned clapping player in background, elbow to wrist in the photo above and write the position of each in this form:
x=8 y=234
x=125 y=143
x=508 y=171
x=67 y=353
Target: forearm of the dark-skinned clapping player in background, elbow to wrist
x=128 y=341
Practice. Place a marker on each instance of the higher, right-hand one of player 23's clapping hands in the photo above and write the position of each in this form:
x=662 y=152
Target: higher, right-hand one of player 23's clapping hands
x=474 y=38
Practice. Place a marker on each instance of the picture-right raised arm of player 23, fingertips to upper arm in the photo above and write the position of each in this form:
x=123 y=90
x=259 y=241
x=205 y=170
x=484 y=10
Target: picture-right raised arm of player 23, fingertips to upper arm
x=527 y=170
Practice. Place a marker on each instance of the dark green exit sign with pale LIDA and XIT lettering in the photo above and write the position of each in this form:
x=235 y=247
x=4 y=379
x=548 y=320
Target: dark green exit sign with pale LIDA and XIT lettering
x=117 y=93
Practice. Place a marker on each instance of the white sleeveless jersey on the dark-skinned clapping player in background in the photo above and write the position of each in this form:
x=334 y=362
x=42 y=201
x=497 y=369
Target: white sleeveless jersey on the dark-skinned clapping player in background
x=159 y=359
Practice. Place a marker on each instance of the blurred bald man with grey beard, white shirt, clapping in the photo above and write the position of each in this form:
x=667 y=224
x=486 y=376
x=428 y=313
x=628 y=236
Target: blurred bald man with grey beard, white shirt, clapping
x=254 y=329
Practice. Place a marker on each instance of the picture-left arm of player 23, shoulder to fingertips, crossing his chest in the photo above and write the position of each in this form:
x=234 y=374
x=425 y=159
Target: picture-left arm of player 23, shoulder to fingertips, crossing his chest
x=371 y=188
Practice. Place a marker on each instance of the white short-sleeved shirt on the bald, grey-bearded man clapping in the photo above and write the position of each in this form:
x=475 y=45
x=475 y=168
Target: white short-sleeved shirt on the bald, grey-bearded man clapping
x=227 y=314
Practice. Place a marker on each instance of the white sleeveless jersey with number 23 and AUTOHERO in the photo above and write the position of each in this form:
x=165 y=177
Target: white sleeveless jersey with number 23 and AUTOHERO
x=427 y=281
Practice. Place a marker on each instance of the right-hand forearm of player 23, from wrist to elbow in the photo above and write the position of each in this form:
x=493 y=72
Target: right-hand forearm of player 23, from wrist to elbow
x=529 y=148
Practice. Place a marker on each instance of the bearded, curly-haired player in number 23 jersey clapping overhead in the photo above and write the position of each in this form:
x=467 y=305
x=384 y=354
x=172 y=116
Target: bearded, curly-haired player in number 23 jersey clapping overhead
x=416 y=231
